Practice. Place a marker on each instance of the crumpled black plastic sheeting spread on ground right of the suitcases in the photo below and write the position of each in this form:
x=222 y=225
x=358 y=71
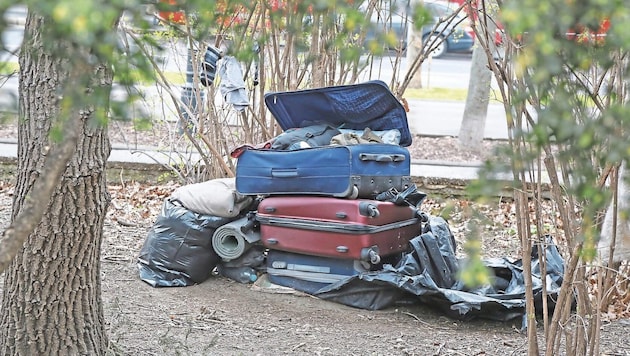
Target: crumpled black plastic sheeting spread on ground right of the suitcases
x=427 y=274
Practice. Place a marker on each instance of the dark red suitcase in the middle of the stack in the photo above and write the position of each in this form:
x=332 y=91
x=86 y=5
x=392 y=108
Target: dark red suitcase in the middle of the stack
x=321 y=226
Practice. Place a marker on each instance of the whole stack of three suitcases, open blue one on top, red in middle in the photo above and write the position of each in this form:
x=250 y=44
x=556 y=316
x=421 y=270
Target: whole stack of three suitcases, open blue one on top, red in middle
x=319 y=218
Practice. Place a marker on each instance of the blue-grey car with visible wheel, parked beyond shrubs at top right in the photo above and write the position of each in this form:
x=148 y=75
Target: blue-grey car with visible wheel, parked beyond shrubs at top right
x=450 y=36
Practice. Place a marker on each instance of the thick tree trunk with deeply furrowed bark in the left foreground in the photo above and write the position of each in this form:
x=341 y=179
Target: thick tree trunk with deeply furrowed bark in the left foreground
x=52 y=291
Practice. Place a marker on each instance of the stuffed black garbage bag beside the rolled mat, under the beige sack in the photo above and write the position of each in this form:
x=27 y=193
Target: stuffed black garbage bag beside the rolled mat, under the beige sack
x=178 y=250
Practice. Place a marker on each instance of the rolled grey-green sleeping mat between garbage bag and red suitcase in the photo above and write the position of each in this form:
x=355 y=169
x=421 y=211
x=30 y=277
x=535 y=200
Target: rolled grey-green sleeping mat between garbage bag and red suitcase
x=231 y=240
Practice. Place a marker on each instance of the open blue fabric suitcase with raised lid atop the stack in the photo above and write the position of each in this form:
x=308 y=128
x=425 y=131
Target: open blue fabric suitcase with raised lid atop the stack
x=350 y=171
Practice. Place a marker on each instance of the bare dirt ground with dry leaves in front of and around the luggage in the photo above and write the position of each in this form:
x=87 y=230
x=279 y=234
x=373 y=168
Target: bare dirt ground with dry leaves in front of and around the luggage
x=223 y=317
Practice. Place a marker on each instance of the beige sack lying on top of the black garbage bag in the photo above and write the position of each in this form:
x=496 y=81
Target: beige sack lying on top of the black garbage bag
x=216 y=197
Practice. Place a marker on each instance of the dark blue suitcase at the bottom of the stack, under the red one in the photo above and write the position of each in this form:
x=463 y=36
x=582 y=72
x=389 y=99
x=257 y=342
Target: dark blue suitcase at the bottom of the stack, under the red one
x=311 y=273
